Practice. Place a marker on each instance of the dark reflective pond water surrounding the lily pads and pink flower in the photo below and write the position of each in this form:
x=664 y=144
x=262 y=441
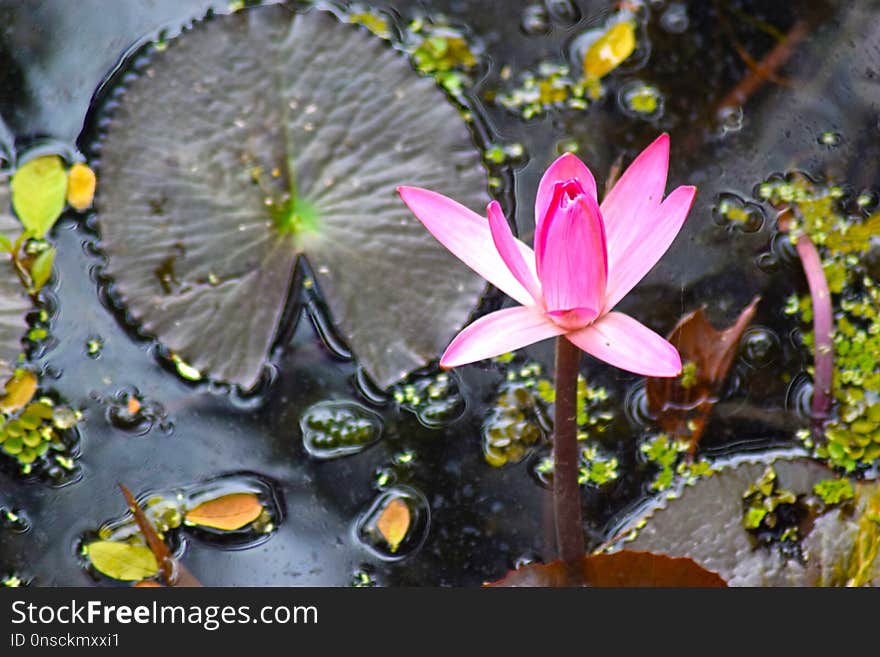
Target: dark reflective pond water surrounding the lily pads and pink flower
x=55 y=54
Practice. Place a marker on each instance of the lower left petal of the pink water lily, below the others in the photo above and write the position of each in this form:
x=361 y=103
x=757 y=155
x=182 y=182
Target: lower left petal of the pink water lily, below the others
x=499 y=332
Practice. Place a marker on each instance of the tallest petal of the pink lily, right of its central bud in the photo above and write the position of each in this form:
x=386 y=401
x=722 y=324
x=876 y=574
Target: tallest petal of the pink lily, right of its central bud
x=635 y=196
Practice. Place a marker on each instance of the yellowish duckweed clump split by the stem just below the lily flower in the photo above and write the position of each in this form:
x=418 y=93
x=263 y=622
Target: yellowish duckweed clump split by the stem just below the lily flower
x=521 y=415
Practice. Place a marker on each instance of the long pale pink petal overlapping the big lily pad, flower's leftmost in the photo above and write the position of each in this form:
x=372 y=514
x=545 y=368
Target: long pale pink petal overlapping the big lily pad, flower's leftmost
x=466 y=234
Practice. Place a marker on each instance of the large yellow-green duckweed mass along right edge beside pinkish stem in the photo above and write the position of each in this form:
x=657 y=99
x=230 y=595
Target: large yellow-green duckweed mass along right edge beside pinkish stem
x=852 y=437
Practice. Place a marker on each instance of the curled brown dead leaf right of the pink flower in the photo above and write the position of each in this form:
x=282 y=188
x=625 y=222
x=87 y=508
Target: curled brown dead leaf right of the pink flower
x=682 y=405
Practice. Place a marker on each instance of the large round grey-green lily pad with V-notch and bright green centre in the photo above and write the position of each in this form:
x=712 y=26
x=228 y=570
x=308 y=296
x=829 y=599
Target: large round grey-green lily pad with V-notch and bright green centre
x=260 y=136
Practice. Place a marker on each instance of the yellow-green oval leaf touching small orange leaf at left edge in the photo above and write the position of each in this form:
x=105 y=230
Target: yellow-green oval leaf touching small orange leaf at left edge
x=39 y=191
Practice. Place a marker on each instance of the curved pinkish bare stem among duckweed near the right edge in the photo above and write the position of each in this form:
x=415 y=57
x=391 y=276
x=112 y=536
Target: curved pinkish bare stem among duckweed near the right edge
x=823 y=328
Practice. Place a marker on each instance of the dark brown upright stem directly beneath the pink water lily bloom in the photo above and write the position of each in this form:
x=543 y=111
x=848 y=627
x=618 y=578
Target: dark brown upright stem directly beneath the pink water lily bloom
x=566 y=493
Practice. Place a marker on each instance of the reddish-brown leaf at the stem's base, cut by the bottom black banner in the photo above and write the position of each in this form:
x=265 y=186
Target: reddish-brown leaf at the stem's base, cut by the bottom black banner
x=625 y=568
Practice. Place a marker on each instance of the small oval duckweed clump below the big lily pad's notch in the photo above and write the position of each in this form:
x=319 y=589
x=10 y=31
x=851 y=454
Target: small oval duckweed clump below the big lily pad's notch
x=331 y=429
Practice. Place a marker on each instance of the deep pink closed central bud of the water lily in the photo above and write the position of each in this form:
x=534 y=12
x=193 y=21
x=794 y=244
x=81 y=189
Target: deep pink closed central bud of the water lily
x=570 y=253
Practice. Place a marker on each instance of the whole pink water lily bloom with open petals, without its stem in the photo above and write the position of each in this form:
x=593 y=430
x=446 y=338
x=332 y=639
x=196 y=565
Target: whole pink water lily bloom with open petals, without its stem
x=586 y=258
